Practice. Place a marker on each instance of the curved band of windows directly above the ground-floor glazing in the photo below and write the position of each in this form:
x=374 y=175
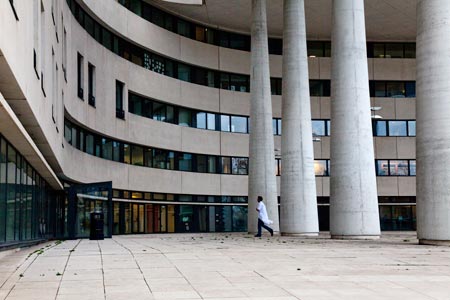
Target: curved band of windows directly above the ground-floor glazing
x=119 y=151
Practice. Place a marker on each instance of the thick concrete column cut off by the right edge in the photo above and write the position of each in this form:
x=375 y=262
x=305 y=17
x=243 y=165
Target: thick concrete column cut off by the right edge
x=433 y=121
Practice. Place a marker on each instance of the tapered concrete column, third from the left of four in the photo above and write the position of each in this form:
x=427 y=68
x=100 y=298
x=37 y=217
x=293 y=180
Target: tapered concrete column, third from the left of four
x=353 y=187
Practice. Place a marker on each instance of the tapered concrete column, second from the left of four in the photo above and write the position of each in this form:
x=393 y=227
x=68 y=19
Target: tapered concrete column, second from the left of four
x=298 y=211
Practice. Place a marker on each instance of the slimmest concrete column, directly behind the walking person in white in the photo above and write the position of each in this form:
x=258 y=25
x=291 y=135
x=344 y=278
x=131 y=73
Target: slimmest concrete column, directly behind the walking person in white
x=262 y=180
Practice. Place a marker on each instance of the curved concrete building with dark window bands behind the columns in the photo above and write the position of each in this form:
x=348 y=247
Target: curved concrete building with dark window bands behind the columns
x=142 y=110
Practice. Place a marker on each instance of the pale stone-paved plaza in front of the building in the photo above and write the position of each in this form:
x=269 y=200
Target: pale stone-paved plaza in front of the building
x=227 y=266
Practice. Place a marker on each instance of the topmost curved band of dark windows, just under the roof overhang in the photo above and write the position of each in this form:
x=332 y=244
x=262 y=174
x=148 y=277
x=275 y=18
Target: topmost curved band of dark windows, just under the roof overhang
x=238 y=41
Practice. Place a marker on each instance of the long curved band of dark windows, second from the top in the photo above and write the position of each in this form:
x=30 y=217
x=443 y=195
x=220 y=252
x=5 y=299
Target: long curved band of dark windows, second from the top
x=207 y=77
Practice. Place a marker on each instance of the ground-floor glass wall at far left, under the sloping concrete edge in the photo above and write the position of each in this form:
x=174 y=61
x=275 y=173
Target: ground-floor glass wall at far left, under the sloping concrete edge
x=24 y=198
